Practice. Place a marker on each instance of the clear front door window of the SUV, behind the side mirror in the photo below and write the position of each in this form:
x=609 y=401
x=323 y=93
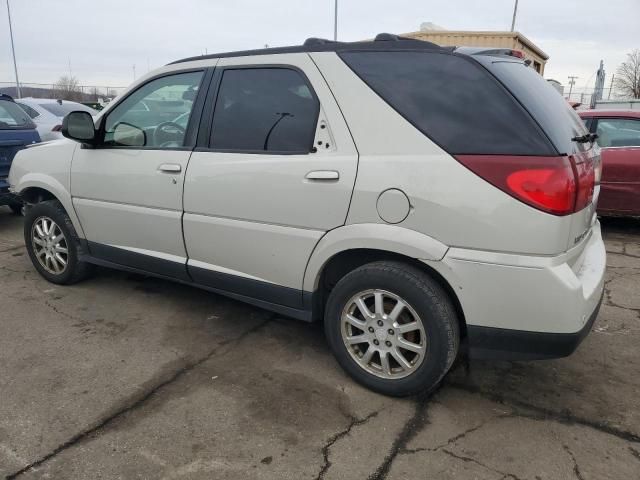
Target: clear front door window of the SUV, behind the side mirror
x=156 y=115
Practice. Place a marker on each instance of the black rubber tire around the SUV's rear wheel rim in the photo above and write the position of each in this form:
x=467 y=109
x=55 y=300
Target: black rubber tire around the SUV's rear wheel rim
x=426 y=297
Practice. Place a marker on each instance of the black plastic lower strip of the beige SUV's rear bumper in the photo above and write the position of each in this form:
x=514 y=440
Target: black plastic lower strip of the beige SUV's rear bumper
x=505 y=344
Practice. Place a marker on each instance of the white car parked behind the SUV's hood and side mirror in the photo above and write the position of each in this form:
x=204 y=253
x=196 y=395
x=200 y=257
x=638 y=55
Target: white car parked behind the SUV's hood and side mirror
x=48 y=113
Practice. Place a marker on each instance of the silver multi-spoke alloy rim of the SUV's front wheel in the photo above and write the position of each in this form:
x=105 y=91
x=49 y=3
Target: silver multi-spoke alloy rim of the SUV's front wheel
x=50 y=245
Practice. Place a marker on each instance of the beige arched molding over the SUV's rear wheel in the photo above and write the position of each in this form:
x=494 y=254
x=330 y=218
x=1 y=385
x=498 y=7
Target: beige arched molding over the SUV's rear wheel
x=390 y=238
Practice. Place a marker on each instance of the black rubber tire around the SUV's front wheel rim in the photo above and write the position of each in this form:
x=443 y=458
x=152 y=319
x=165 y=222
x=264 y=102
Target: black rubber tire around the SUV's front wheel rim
x=75 y=269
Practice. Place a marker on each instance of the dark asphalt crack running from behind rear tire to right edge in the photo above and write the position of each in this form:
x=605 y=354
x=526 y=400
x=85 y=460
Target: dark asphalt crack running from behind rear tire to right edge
x=536 y=412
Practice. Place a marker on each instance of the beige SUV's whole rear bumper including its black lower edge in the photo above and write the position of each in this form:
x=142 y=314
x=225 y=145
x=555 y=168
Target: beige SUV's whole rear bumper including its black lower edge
x=527 y=307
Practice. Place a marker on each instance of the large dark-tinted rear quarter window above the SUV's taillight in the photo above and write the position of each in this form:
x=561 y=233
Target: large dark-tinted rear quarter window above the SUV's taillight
x=452 y=100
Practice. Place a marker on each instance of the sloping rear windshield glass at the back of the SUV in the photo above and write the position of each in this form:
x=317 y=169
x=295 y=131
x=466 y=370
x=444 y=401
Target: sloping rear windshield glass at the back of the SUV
x=559 y=121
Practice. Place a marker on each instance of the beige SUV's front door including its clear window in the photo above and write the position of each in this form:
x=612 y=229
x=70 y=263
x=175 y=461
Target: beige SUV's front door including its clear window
x=127 y=192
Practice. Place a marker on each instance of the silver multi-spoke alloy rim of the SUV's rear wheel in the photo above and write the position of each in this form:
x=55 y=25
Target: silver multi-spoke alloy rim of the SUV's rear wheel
x=383 y=334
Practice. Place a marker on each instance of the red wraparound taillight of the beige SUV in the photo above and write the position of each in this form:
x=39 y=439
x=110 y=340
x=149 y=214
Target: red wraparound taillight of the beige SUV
x=556 y=185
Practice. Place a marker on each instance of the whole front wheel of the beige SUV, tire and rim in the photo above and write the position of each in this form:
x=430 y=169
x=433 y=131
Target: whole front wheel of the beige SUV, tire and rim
x=53 y=245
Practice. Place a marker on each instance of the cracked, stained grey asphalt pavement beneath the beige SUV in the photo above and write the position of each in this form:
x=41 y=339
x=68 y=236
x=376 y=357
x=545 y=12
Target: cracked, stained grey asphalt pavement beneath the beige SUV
x=123 y=376
